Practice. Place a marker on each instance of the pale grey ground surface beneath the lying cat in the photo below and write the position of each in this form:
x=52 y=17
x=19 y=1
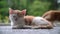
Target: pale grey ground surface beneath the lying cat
x=9 y=30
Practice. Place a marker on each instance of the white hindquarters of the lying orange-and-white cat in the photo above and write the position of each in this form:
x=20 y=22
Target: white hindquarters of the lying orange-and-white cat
x=41 y=22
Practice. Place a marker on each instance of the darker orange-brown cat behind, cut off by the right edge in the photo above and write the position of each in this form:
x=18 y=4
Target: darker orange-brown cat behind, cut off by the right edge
x=52 y=15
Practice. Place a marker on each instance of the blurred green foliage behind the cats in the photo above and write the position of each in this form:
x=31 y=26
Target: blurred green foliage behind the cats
x=33 y=7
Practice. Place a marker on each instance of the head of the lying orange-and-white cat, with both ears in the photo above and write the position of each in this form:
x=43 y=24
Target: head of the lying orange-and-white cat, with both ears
x=16 y=14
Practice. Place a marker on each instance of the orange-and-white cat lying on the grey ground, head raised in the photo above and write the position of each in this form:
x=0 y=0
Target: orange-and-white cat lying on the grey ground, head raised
x=19 y=20
